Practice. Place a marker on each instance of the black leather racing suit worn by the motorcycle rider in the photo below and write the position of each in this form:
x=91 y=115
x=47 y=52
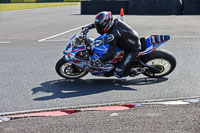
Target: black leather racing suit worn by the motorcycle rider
x=123 y=36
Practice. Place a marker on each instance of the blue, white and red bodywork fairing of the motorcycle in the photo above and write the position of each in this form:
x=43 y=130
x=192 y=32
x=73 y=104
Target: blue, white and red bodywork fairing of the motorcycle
x=100 y=47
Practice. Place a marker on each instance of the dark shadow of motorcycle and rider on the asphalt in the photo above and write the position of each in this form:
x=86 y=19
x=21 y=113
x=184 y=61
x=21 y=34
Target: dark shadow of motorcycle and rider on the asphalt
x=76 y=88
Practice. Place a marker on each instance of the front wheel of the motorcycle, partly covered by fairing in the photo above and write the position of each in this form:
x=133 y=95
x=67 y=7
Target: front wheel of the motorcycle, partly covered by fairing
x=68 y=70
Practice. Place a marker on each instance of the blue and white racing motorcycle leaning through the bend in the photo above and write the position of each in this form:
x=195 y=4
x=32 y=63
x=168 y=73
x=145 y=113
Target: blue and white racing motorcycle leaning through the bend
x=80 y=50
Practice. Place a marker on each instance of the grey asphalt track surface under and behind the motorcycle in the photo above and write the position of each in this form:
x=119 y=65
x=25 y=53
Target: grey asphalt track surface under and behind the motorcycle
x=28 y=80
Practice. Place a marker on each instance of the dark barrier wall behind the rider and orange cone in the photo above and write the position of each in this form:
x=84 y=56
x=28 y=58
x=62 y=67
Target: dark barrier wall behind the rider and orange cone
x=143 y=7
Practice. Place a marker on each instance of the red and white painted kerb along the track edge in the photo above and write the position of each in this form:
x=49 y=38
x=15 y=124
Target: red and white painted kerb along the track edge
x=65 y=112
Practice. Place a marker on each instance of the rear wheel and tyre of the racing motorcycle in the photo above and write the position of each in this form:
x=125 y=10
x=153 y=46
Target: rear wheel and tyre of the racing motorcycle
x=163 y=60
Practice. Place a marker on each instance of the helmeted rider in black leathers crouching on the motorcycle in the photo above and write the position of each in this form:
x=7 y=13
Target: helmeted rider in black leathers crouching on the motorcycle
x=119 y=35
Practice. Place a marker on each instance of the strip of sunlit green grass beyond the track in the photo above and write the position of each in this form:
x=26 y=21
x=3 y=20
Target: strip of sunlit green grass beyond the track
x=21 y=6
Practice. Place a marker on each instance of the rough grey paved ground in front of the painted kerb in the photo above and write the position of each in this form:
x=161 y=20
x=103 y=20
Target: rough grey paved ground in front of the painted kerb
x=147 y=118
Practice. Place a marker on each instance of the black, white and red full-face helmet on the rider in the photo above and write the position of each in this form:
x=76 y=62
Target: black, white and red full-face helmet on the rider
x=103 y=22
